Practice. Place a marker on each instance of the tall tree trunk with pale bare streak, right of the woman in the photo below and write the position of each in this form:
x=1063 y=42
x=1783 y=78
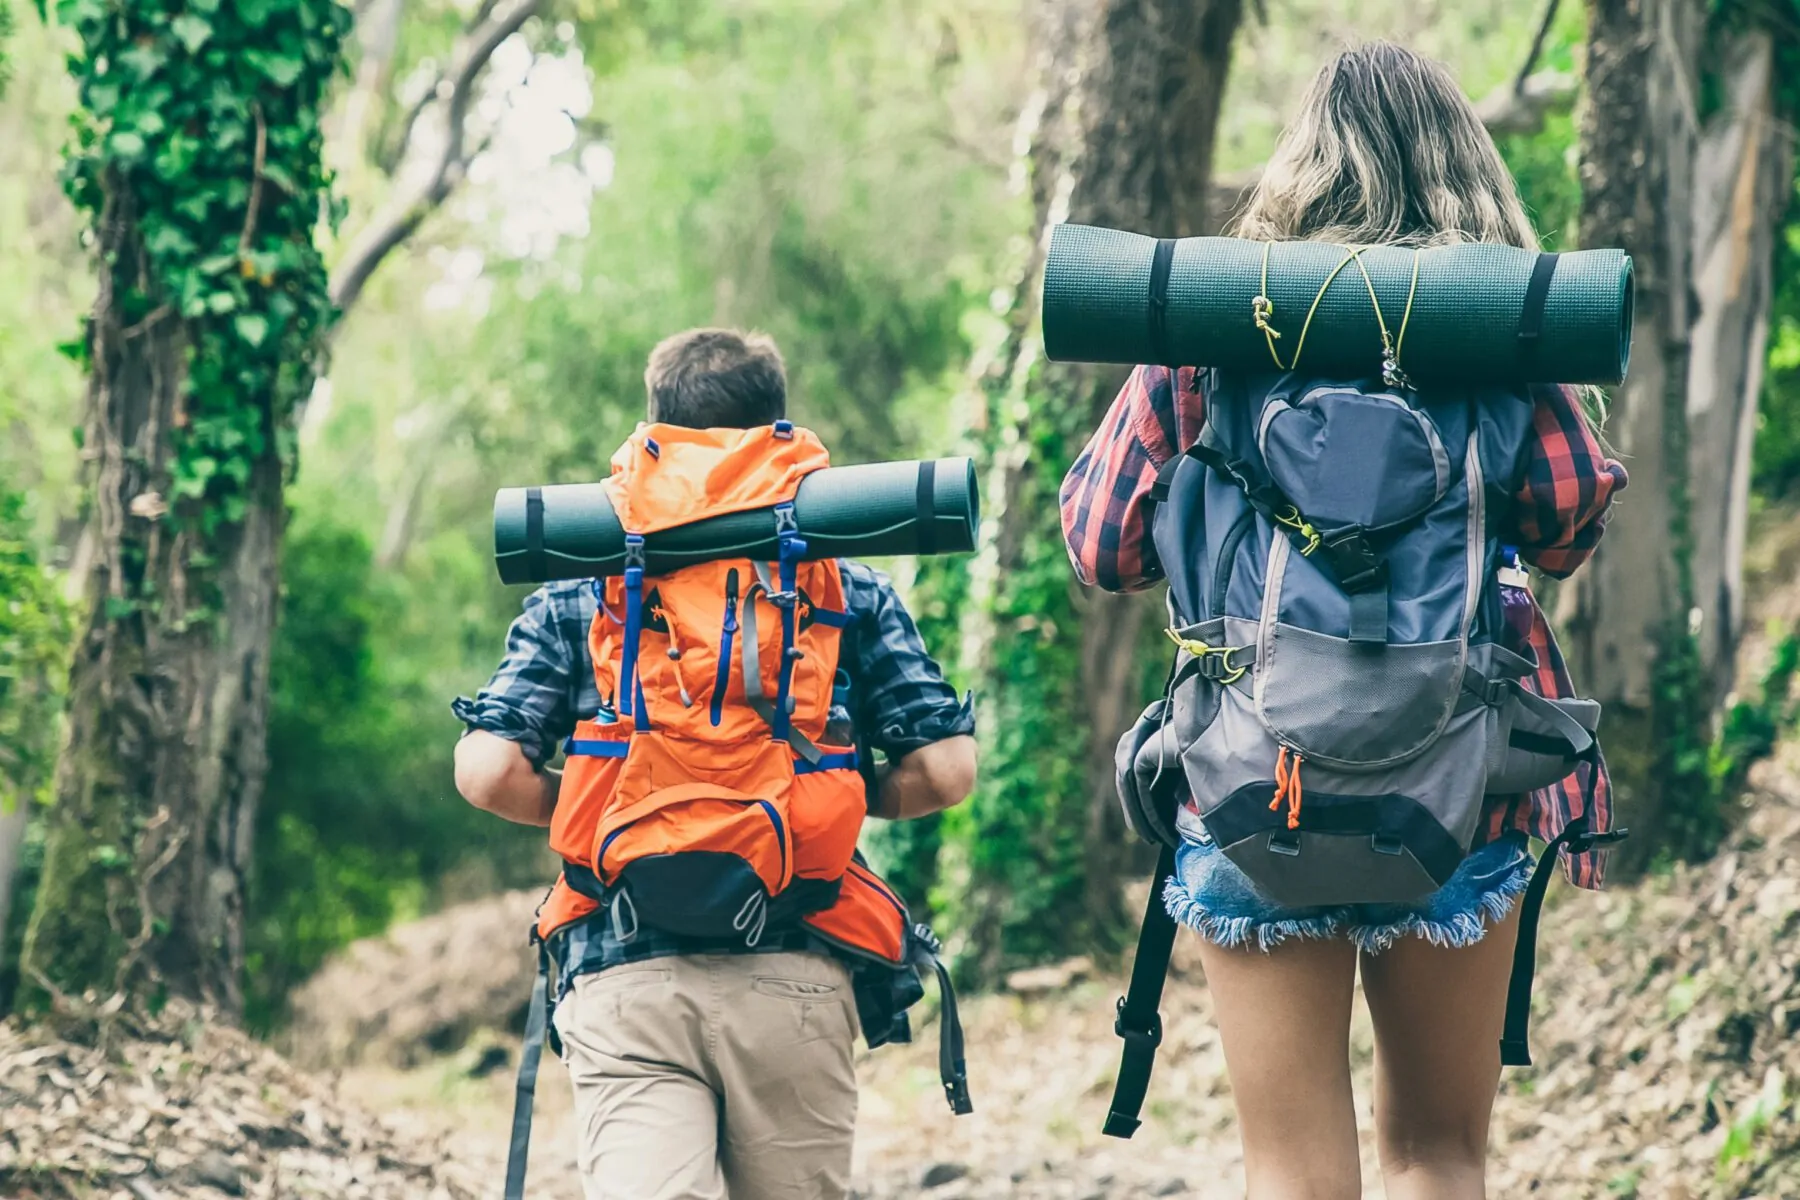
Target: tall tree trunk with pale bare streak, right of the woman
x=1696 y=201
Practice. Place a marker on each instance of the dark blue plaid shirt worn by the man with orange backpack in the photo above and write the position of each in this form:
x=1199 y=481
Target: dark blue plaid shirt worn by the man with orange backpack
x=546 y=685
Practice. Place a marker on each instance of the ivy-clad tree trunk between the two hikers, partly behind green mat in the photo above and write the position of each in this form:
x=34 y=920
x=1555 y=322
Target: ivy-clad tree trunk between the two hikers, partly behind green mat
x=1120 y=134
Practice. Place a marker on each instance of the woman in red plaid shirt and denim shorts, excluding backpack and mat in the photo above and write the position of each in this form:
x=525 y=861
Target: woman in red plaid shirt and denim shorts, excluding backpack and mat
x=1385 y=152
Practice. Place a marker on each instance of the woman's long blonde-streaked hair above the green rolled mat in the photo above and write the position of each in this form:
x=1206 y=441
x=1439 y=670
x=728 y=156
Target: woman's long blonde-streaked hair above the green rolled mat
x=1387 y=150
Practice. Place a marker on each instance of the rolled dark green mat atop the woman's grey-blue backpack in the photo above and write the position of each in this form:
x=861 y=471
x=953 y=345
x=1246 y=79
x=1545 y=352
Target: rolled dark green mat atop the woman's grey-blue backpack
x=1475 y=314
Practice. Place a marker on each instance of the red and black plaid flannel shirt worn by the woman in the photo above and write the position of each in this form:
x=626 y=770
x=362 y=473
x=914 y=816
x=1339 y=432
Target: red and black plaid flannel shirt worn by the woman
x=1558 y=517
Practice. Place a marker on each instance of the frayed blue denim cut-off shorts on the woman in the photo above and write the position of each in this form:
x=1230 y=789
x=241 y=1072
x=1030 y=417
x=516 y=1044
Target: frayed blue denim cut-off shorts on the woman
x=1216 y=900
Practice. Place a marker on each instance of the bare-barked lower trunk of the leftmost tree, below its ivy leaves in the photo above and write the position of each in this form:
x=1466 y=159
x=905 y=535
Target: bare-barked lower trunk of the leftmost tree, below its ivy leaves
x=163 y=769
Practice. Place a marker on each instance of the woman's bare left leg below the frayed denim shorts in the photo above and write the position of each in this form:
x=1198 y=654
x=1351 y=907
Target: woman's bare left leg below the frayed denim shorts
x=1284 y=1019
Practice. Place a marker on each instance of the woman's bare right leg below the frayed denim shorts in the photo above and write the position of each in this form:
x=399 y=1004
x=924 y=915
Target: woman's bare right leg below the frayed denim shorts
x=1439 y=1014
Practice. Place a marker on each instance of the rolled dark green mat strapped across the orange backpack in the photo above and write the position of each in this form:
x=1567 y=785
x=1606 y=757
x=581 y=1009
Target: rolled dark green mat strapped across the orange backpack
x=843 y=512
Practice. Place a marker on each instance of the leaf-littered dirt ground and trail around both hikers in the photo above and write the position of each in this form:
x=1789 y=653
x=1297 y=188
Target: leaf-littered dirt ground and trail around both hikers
x=1668 y=1039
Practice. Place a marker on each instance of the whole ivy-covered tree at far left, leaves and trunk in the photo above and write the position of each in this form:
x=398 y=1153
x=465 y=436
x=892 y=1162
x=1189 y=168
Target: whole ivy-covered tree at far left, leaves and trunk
x=197 y=161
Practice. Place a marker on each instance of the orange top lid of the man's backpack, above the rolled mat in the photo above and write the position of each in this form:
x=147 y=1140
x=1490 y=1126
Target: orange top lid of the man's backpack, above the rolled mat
x=669 y=476
